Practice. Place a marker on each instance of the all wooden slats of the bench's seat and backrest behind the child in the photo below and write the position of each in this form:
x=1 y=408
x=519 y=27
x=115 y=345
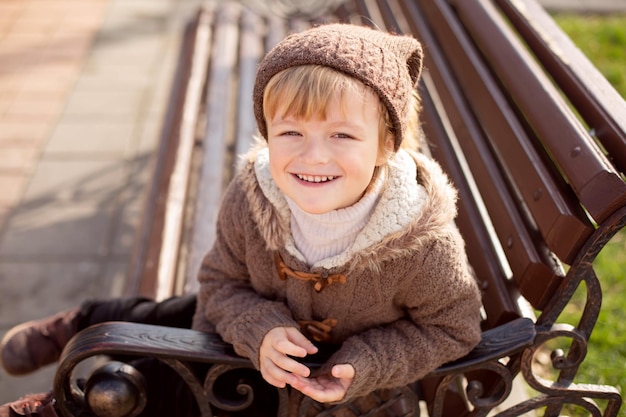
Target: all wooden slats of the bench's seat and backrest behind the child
x=529 y=131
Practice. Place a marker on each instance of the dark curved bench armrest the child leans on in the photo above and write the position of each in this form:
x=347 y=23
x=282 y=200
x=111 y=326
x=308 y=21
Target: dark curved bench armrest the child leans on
x=181 y=348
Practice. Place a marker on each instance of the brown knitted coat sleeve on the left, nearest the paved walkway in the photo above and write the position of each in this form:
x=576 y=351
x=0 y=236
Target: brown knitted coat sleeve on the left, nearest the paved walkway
x=227 y=301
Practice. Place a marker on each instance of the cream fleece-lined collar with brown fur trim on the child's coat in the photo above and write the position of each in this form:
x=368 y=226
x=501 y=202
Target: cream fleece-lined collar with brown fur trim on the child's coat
x=415 y=201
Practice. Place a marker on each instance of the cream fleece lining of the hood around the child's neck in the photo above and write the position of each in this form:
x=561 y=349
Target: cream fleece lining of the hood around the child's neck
x=400 y=202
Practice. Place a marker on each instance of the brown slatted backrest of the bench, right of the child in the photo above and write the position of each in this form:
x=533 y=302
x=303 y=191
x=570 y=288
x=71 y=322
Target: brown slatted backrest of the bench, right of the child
x=502 y=110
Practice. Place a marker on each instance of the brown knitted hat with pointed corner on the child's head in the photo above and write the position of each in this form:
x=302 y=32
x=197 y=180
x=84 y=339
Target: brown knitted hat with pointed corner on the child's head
x=389 y=64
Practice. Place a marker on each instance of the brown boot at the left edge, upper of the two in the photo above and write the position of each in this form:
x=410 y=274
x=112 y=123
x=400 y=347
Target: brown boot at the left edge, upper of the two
x=29 y=346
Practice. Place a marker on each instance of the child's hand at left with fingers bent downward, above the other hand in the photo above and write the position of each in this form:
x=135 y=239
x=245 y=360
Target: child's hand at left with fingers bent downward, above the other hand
x=277 y=368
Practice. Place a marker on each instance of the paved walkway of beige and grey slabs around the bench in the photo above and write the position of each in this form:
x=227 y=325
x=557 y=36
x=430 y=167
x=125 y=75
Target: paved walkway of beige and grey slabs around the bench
x=83 y=89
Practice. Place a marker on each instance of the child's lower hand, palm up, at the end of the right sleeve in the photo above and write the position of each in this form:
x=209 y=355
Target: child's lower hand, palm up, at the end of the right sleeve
x=327 y=388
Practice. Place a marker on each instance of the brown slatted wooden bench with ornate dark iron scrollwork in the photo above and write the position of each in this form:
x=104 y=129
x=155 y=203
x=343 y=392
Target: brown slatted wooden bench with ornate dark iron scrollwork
x=532 y=135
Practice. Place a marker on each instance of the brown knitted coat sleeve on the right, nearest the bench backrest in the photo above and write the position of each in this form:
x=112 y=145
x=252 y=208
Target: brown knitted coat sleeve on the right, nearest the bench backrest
x=442 y=324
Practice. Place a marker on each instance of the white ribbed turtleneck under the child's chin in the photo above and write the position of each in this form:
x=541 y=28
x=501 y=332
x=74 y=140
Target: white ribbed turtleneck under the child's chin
x=321 y=236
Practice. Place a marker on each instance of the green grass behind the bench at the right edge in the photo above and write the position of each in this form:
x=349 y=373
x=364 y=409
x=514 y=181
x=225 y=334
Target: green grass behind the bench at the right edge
x=603 y=40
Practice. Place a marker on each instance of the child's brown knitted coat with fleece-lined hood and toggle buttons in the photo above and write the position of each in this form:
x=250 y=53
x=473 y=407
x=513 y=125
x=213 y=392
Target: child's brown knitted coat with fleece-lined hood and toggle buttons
x=408 y=304
